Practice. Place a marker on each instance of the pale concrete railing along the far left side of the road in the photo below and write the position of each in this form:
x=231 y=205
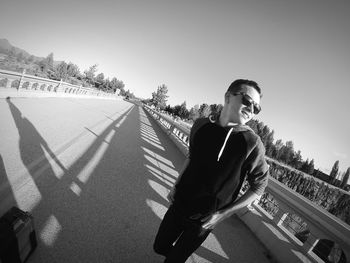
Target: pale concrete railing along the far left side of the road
x=14 y=84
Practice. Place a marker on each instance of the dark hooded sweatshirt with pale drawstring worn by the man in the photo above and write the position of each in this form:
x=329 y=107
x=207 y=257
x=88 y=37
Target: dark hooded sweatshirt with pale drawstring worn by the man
x=220 y=160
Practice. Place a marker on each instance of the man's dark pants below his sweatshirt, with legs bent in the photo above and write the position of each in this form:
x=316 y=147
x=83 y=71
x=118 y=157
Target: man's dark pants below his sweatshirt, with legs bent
x=188 y=234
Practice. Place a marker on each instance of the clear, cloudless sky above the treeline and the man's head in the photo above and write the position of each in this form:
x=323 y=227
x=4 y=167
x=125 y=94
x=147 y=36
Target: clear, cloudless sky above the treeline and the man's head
x=298 y=52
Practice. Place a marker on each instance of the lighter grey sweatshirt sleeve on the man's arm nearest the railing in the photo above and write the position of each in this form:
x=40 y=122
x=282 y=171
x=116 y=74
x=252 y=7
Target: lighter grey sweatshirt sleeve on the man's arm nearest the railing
x=257 y=169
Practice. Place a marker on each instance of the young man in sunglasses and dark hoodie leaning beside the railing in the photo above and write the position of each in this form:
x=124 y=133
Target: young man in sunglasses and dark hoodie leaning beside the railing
x=223 y=153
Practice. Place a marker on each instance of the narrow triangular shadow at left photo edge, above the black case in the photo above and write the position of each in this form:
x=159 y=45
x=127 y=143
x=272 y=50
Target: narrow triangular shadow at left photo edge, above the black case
x=7 y=198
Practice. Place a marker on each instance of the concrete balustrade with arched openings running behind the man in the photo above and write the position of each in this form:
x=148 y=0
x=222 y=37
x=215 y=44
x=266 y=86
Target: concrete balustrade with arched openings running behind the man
x=283 y=245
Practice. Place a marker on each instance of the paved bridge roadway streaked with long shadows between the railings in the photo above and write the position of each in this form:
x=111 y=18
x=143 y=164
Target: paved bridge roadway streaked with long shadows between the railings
x=95 y=173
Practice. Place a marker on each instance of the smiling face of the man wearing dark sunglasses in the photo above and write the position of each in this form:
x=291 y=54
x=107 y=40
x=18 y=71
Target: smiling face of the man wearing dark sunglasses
x=240 y=113
